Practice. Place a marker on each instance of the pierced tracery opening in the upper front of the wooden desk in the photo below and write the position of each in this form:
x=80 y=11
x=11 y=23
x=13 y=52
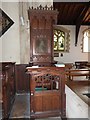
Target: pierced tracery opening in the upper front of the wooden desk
x=47 y=82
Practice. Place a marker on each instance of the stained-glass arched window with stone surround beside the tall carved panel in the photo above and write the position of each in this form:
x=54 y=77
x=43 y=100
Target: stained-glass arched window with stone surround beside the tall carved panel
x=61 y=39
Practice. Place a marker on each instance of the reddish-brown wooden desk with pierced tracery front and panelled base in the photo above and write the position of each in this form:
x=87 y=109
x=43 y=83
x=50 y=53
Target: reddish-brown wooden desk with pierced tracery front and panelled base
x=47 y=92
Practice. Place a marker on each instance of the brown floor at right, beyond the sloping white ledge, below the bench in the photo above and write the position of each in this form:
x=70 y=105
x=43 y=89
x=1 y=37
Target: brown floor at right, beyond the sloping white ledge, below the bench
x=80 y=88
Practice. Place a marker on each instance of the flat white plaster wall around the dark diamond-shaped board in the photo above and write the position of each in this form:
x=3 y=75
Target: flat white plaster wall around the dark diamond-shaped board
x=9 y=42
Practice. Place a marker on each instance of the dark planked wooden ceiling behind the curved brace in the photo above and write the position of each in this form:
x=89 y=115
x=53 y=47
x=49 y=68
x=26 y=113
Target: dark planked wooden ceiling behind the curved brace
x=70 y=11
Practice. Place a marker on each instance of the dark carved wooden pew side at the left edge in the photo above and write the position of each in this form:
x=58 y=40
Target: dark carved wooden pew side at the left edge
x=7 y=77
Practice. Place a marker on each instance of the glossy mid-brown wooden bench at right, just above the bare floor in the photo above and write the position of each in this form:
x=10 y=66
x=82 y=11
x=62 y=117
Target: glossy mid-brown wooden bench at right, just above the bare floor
x=77 y=73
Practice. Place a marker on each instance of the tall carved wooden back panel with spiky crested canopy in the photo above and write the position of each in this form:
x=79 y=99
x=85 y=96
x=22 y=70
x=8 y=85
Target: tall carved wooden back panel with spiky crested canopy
x=41 y=33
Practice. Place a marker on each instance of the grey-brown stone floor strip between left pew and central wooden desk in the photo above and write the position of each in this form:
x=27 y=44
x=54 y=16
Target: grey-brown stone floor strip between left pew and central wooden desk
x=21 y=107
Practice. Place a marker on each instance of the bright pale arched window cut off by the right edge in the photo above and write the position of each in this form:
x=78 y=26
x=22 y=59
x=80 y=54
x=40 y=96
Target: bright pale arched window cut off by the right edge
x=86 y=41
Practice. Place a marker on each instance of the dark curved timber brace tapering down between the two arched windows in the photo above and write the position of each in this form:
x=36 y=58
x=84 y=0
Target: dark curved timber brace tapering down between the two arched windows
x=80 y=20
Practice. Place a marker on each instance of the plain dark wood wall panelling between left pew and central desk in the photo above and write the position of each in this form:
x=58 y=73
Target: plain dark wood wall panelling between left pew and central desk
x=22 y=79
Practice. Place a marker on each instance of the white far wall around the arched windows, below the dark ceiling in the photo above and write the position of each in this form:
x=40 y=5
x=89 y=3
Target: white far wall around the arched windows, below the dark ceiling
x=75 y=52
